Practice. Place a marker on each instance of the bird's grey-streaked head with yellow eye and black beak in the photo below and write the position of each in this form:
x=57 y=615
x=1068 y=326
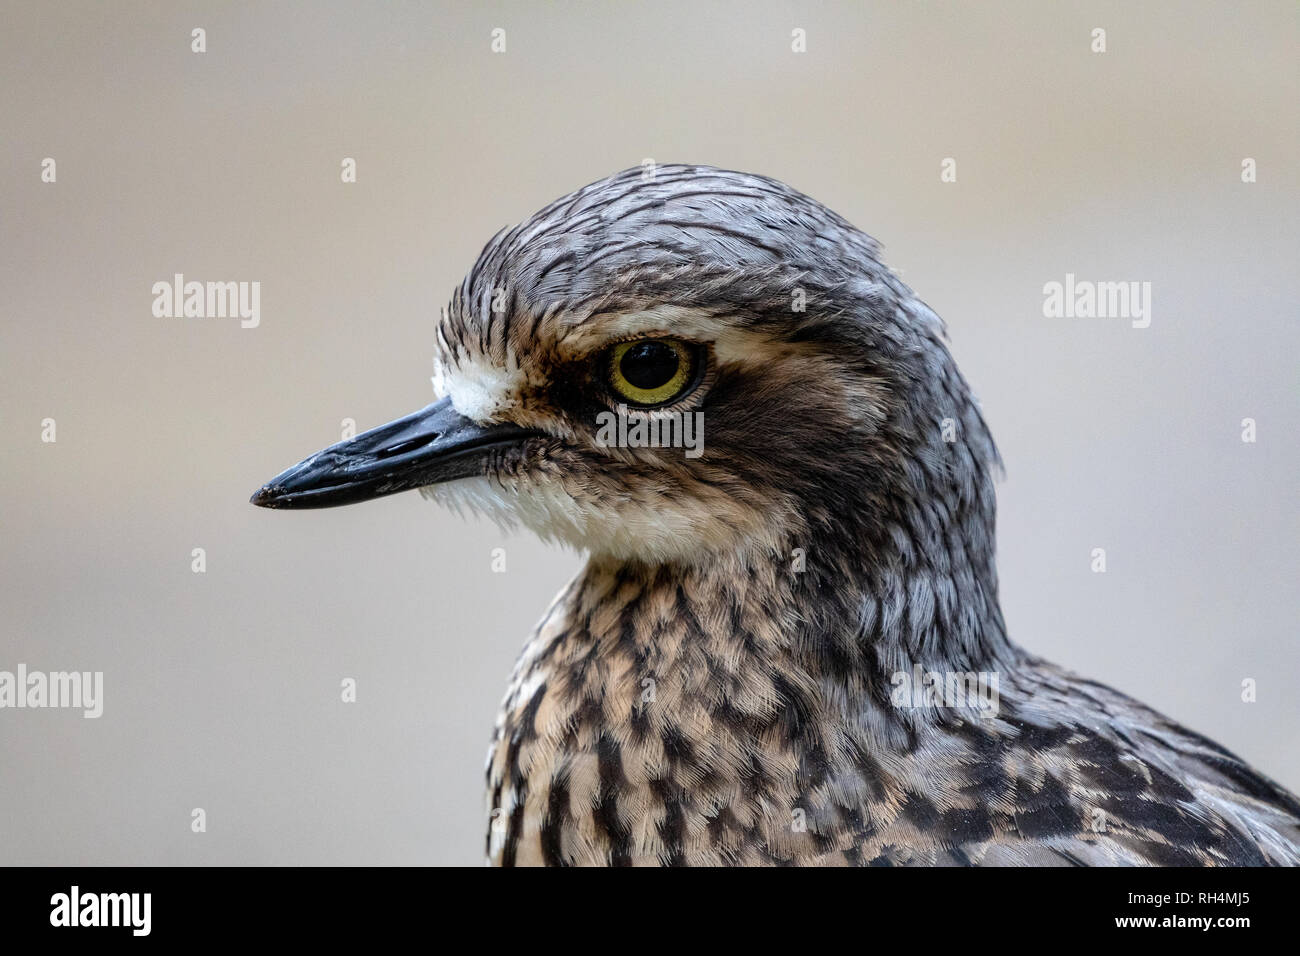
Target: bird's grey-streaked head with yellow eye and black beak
x=678 y=364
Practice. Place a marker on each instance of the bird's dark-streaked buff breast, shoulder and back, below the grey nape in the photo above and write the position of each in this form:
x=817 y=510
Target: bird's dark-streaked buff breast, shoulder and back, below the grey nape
x=739 y=758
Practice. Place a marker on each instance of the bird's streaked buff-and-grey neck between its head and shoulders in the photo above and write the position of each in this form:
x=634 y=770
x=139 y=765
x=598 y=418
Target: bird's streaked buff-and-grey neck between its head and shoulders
x=816 y=630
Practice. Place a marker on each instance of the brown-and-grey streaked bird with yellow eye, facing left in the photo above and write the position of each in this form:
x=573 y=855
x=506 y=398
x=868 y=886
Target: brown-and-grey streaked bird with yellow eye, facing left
x=786 y=646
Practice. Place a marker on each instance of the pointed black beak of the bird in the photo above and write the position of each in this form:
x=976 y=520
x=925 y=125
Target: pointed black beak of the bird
x=435 y=444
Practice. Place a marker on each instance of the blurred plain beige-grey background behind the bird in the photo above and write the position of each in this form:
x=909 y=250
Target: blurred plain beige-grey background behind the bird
x=222 y=690
